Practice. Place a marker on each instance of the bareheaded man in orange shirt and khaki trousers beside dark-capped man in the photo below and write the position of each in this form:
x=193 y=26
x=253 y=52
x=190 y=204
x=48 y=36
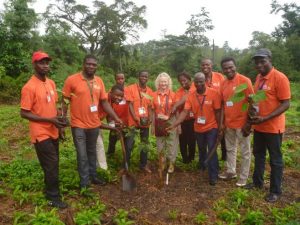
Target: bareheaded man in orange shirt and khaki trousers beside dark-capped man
x=235 y=120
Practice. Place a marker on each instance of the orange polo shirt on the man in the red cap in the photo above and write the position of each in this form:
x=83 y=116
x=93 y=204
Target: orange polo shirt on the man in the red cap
x=40 y=98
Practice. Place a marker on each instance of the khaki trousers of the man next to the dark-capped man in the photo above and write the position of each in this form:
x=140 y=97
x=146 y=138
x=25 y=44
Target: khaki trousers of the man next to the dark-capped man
x=233 y=138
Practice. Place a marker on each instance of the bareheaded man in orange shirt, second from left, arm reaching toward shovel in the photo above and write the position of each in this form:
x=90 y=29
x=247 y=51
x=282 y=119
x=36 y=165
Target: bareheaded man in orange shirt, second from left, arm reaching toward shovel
x=85 y=92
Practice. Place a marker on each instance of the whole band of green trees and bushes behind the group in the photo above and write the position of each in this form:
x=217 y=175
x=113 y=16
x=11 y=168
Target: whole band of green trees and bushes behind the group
x=73 y=30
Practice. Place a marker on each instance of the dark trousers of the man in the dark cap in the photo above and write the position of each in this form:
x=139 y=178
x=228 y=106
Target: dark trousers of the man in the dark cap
x=272 y=142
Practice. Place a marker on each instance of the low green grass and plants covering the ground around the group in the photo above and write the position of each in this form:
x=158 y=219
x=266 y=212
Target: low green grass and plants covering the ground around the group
x=21 y=181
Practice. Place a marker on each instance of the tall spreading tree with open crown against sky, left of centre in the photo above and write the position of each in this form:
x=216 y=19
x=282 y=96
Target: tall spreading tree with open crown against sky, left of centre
x=103 y=28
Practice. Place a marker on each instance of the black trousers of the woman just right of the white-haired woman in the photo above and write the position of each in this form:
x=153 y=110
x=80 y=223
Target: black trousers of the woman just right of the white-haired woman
x=187 y=141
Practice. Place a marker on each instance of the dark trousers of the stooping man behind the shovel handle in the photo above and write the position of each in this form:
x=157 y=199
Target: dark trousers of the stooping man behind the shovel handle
x=128 y=141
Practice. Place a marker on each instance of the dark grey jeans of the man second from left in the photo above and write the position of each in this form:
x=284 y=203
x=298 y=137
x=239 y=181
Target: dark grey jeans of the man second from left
x=85 y=143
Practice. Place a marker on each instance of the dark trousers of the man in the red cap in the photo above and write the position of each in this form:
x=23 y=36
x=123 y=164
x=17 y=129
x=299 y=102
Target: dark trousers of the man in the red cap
x=48 y=155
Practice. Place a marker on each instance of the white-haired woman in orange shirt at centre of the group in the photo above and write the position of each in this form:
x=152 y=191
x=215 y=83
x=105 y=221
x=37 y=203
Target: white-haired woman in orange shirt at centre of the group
x=163 y=101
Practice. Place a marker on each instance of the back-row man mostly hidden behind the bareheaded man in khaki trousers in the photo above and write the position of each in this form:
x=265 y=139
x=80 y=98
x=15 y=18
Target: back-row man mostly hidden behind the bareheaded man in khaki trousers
x=213 y=80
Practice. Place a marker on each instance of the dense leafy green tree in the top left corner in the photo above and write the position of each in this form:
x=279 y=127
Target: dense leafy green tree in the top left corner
x=16 y=31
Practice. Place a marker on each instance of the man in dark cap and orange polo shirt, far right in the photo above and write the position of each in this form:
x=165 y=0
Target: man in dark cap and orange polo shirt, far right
x=269 y=124
